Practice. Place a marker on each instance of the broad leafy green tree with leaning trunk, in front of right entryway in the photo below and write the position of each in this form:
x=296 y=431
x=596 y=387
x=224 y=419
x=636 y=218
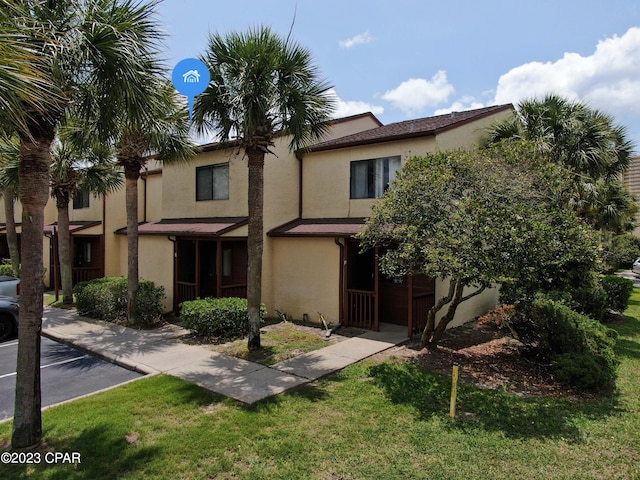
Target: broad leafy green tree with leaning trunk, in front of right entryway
x=477 y=218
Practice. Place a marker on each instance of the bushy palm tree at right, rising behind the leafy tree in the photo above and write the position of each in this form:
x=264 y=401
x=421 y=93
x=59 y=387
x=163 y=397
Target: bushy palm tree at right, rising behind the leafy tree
x=584 y=140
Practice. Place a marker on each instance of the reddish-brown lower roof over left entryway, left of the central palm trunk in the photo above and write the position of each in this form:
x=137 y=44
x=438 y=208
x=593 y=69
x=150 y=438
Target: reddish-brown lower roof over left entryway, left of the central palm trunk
x=189 y=226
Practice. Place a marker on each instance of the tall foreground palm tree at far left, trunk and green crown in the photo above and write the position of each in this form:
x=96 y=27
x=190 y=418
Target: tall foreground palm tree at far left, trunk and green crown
x=105 y=46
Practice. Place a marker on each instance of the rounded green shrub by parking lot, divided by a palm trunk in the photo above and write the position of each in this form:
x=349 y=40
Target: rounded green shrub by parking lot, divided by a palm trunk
x=106 y=299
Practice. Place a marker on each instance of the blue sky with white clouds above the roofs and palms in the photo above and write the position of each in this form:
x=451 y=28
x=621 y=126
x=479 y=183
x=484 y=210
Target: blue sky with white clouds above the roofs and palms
x=404 y=59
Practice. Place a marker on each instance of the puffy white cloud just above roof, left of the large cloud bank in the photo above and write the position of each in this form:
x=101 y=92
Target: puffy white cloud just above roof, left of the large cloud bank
x=415 y=94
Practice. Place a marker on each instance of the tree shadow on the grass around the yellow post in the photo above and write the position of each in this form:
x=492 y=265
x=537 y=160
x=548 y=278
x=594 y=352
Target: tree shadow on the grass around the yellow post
x=488 y=410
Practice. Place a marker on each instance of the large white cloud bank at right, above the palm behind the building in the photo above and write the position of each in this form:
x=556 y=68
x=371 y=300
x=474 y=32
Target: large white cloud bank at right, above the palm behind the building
x=609 y=79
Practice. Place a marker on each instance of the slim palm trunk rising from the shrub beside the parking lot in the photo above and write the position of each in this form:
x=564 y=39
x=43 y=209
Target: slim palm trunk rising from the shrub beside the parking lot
x=132 y=173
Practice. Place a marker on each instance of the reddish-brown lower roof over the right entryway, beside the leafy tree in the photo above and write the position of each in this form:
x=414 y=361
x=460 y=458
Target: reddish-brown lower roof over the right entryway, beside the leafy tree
x=319 y=227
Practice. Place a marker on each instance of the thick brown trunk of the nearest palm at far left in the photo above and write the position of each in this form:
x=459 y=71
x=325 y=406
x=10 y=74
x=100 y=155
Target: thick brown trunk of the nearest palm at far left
x=35 y=160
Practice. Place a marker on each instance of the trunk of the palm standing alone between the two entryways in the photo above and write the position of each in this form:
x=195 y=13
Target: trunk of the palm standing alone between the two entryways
x=255 y=244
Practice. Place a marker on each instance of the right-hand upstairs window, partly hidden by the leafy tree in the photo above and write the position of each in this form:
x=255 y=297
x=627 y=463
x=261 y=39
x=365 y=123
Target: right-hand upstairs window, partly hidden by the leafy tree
x=370 y=178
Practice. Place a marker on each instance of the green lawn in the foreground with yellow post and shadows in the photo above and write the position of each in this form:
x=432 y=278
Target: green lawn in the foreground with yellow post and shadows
x=378 y=421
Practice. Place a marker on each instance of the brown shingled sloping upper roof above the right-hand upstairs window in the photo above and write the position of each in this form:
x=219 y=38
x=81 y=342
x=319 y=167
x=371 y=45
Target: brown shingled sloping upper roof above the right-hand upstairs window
x=410 y=128
